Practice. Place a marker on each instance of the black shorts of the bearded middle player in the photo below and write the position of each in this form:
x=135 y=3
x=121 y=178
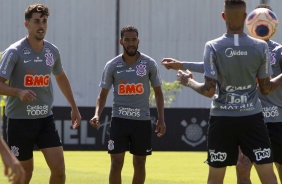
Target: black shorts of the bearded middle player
x=132 y=135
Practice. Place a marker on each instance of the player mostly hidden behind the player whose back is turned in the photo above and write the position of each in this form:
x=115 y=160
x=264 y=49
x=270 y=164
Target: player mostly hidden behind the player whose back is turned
x=271 y=106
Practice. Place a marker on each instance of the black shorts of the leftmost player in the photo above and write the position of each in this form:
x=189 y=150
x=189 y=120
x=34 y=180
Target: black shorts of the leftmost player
x=23 y=134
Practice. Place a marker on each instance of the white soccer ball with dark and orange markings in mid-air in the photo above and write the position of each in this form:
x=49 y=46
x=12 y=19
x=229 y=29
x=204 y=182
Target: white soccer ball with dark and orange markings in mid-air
x=262 y=23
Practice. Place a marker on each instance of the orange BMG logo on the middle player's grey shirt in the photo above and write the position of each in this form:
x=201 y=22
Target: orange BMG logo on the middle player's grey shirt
x=130 y=89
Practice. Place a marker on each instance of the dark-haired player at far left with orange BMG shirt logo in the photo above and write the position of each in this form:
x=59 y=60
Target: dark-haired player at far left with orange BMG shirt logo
x=27 y=65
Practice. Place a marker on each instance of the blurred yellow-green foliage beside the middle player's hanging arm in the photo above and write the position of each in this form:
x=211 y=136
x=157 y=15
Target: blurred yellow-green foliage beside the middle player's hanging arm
x=170 y=89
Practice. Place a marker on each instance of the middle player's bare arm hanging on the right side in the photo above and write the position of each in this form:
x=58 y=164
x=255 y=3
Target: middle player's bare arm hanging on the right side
x=160 y=124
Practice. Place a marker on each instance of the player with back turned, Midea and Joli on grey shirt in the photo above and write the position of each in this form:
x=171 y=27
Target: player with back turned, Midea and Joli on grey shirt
x=236 y=117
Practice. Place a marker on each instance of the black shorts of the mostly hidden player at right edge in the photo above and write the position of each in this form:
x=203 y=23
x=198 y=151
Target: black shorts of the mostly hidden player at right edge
x=275 y=134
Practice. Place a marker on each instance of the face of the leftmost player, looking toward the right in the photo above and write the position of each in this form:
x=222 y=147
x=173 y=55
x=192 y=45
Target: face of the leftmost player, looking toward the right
x=37 y=26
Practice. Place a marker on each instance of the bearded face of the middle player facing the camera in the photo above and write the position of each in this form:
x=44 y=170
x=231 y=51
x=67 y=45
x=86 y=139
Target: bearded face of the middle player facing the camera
x=130 y=42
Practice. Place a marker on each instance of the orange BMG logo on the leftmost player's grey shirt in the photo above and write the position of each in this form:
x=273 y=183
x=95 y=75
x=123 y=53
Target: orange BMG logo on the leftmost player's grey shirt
x=36 y=80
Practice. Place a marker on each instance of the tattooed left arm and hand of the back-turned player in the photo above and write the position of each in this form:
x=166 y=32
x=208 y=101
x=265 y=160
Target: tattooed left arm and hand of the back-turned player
x=206 y=89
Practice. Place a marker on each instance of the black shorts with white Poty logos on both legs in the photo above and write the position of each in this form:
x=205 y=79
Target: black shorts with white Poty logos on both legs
x=226 y=134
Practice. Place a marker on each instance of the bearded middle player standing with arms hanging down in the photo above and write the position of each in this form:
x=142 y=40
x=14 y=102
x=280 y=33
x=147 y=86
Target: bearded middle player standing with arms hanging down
x=130 y=74
